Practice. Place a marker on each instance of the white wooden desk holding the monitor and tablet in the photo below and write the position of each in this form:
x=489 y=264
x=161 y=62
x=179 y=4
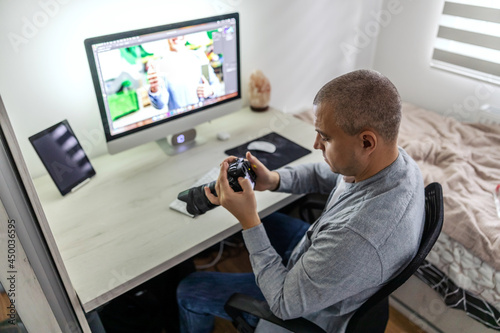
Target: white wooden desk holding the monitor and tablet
x=117 y=231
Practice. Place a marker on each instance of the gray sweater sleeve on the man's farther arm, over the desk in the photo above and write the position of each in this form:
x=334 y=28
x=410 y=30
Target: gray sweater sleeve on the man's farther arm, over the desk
x=307 y=178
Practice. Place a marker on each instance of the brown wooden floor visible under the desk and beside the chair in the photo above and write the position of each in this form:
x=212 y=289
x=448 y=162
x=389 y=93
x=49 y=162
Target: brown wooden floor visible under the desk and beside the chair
x=235 y=259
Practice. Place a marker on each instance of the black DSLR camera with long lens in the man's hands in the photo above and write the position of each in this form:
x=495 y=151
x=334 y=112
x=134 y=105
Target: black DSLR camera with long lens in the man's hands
x=197 y=202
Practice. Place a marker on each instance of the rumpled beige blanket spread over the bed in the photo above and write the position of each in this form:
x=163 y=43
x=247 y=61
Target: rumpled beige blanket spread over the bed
x=465 y=159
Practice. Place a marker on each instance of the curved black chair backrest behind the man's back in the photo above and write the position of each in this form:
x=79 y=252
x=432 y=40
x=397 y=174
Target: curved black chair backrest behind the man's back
x=434 y=215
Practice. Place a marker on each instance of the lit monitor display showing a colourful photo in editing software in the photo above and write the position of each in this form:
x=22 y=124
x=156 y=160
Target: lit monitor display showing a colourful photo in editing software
x=163 y=75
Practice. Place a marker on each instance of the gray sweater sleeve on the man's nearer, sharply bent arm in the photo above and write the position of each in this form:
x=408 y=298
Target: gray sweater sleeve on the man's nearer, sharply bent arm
x=327 y=273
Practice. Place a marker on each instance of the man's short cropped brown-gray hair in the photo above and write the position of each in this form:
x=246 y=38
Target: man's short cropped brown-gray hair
x=363 y=99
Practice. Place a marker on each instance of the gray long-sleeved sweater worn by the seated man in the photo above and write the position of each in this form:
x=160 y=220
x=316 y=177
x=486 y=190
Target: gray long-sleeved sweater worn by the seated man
x=362 y=240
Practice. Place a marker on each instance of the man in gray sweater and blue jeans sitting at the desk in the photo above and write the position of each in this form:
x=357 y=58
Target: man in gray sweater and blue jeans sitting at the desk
x=370 y=228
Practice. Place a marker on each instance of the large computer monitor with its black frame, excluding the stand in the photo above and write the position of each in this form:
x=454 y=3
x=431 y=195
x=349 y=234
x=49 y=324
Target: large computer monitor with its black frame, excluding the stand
x=157 y=81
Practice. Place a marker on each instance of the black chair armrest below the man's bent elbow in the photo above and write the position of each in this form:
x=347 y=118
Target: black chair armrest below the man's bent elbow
x=239 y=303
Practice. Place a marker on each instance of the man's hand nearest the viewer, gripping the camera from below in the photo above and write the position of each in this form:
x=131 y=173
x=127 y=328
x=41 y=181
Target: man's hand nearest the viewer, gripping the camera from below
x=242 y=205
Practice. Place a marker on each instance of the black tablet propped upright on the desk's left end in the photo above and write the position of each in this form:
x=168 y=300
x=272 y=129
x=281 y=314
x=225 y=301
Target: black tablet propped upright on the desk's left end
x=63 y=157
